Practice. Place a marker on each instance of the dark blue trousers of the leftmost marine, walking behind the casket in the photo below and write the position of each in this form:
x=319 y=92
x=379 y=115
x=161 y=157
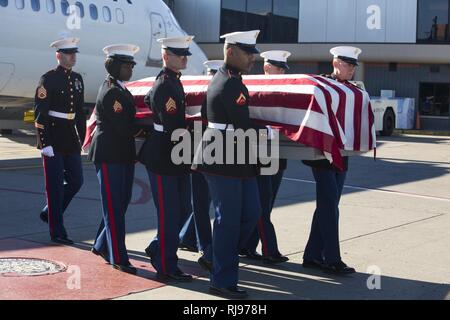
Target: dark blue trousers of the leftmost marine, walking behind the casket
x=63 y=179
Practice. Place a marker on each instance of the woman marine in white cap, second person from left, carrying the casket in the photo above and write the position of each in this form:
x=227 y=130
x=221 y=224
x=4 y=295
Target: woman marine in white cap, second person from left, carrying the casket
x=114 y=154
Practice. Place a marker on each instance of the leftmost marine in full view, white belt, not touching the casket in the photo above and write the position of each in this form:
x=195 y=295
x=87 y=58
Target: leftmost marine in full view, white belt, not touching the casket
x=61 y=125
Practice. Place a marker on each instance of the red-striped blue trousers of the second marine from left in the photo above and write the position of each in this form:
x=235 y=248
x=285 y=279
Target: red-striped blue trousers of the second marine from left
x=116 y=188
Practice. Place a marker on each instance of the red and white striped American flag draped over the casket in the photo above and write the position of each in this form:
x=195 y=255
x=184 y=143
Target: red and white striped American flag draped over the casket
x=308 y=109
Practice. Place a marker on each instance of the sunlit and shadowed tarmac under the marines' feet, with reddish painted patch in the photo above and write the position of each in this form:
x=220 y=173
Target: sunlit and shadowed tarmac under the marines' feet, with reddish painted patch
x=394 y=229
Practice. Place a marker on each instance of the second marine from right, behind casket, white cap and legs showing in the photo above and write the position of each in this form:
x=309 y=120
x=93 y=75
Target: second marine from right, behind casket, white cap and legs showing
x=275 y=62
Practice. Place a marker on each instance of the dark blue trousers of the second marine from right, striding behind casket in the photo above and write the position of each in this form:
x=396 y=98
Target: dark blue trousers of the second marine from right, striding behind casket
x=268 y=187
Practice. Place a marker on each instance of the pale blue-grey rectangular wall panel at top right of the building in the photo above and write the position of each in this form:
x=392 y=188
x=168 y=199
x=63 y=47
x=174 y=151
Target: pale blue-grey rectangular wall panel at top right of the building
x=370 y=21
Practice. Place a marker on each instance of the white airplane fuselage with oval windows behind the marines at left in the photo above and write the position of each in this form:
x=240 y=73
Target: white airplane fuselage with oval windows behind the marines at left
x=26 y=33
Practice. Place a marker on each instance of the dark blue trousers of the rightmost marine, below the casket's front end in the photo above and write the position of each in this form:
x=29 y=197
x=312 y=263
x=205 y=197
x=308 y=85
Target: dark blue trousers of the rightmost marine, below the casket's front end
x=323 y=242
